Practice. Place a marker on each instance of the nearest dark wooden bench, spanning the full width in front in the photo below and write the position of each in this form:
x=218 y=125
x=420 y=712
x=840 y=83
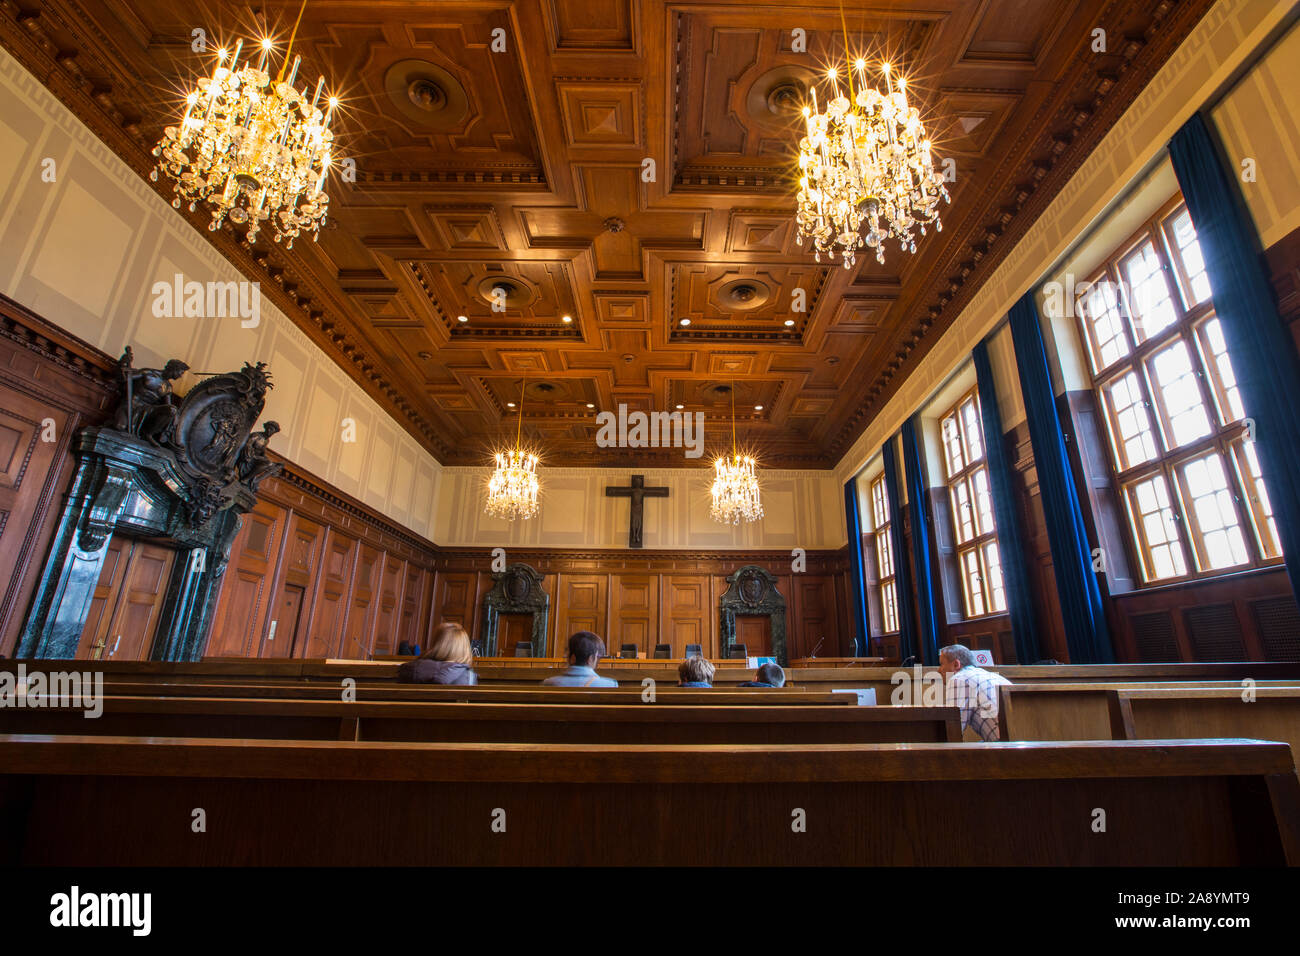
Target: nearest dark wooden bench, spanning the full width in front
x=102 y=801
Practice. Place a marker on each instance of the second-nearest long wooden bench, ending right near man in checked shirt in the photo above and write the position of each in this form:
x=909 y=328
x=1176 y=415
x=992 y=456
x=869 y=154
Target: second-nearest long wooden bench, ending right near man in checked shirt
x=582 y=724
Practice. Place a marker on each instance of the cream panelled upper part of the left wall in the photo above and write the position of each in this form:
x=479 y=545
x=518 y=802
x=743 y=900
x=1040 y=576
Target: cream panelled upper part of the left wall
x=85 y=250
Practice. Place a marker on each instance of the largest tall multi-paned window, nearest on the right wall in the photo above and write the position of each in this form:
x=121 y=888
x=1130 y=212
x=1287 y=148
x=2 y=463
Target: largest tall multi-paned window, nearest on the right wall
x=1185 y=465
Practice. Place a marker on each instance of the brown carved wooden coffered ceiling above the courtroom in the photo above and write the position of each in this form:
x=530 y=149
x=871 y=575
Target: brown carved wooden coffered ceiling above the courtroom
x=525 y=170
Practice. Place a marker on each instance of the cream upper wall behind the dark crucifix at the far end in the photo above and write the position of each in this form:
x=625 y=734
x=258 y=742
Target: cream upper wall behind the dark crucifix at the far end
x=803 y=509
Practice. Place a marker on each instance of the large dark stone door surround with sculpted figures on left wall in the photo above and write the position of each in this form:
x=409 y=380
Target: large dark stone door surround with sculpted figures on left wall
x=180 y=470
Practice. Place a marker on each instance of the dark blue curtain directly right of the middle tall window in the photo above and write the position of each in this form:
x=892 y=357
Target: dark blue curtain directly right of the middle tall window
x=1011 y=540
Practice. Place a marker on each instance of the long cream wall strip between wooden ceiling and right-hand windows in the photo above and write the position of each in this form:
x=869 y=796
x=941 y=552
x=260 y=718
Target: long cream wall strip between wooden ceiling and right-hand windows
x=1227 y=40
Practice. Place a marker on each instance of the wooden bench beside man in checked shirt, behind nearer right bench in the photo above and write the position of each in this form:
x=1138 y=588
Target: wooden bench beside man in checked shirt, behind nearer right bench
x=1082 y=712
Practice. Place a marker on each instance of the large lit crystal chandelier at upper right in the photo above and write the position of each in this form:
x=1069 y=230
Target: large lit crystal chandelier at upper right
x=865 y=162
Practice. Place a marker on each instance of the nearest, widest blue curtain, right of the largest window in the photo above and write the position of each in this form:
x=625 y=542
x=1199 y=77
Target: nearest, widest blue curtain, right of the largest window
x=1264 y=354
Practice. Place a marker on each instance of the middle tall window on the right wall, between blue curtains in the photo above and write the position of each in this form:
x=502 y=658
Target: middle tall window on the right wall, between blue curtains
x=967 y=475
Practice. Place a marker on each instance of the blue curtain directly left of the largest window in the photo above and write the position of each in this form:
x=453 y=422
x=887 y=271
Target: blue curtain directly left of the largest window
x=1086 y=631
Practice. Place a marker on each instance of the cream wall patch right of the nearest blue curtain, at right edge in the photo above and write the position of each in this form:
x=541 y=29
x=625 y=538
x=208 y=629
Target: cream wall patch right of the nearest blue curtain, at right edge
x=1259 y=120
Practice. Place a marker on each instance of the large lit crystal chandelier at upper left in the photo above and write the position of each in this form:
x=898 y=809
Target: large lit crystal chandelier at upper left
x=254 y=149
